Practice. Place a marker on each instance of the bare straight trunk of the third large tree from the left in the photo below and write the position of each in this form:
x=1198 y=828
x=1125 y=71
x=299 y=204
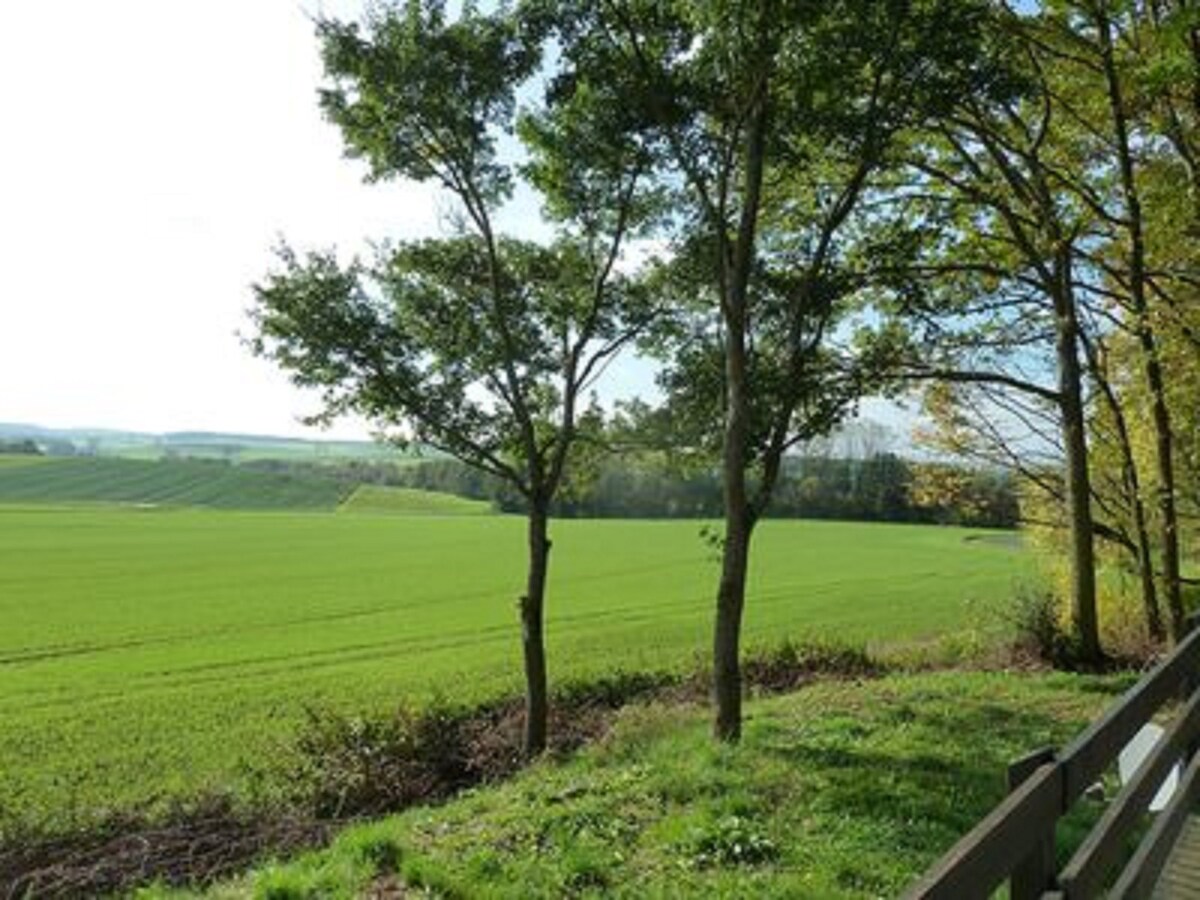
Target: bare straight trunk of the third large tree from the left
x=1079 y=494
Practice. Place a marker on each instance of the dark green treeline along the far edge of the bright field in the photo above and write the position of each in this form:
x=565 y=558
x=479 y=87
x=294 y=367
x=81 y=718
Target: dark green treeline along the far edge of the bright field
x=884 y=488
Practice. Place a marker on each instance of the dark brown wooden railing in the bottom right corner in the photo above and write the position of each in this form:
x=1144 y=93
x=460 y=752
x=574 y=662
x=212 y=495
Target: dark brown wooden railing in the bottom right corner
x=1016 y=842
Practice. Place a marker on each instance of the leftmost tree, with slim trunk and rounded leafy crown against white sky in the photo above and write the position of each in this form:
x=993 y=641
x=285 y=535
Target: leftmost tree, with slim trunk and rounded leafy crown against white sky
x=478 y=345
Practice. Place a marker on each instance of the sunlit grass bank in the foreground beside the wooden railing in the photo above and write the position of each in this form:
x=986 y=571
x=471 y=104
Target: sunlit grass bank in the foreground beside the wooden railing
x=843 y=790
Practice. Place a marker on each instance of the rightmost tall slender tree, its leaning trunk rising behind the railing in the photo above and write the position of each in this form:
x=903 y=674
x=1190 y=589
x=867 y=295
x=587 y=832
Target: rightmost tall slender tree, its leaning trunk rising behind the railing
x=1096 y=53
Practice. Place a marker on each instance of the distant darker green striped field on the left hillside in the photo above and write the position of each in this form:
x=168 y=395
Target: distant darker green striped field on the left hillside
x=176 y=483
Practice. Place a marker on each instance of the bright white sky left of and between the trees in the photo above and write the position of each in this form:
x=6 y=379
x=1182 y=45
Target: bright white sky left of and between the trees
x=154 y=154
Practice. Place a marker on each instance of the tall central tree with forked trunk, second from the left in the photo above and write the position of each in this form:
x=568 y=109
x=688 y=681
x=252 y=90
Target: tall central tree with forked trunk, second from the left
x=771 y=122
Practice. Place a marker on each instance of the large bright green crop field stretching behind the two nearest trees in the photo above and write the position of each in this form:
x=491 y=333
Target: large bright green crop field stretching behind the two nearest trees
x=153 y=653
